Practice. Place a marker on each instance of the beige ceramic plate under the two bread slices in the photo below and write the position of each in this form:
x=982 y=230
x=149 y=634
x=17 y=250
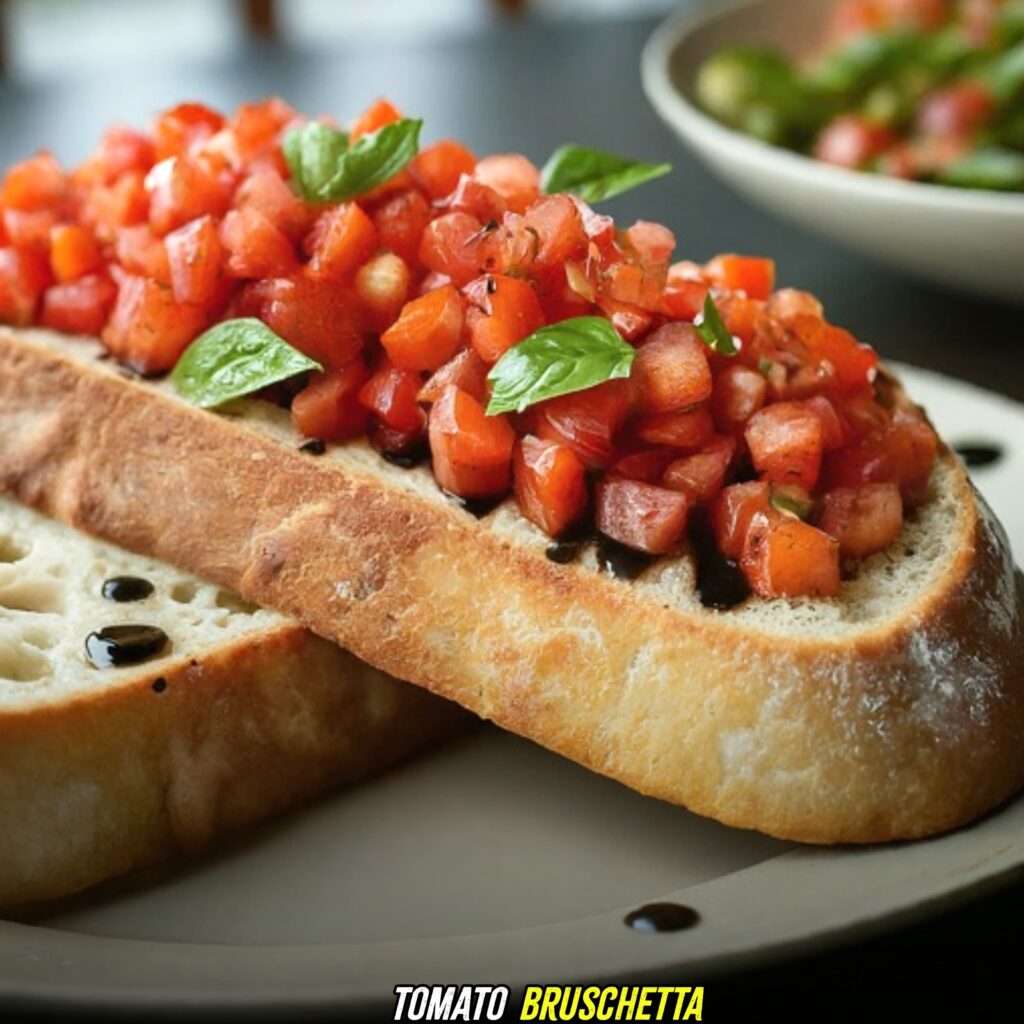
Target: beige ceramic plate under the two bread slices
x=495 y=862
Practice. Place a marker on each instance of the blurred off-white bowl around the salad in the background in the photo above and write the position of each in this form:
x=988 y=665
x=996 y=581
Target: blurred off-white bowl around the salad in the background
x=966 y=239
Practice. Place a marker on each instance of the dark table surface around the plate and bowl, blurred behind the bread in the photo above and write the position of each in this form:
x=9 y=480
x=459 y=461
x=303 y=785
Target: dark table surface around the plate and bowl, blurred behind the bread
x=529 y=87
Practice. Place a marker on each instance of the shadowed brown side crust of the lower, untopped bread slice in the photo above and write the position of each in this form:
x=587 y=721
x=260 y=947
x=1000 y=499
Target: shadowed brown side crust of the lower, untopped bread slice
x=105 y=785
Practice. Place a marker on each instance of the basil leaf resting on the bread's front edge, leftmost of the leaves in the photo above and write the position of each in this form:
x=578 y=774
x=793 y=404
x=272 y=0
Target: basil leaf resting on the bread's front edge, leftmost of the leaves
x=235 y=359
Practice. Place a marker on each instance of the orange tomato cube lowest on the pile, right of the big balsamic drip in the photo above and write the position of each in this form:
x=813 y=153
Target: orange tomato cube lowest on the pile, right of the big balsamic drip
x=785 y=558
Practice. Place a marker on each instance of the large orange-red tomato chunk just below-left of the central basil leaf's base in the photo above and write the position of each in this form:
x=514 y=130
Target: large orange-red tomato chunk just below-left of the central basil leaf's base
x=473 y=452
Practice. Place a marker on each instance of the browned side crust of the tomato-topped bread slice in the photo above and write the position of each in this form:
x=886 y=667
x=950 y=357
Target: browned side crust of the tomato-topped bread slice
x=906 y=729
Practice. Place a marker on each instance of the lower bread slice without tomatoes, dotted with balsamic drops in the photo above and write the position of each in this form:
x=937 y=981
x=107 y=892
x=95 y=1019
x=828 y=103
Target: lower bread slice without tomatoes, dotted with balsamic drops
x=244 y=715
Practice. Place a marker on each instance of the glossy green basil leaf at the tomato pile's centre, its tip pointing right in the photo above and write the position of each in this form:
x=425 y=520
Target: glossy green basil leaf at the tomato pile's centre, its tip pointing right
x=573 y=356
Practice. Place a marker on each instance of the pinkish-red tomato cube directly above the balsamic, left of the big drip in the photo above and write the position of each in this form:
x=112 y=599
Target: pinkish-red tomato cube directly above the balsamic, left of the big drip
x=641 y=516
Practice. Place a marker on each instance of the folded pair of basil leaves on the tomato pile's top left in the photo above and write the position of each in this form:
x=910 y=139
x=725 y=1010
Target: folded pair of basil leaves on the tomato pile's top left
x=329 y=169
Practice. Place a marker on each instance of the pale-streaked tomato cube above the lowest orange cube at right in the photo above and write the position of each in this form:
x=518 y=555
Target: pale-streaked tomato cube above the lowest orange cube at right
x=787 y=444
